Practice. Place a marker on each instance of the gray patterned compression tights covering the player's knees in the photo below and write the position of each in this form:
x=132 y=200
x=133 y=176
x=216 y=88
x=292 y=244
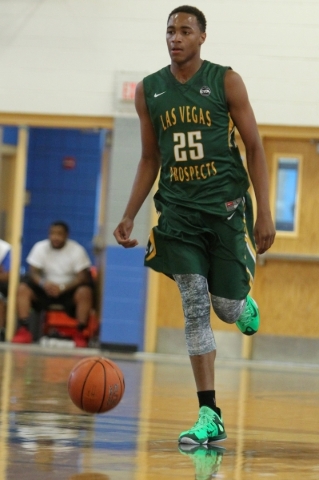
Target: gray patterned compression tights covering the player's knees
x=196 y=306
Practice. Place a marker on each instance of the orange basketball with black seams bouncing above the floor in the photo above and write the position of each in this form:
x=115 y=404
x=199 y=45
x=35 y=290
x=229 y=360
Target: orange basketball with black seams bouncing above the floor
x=96 y=385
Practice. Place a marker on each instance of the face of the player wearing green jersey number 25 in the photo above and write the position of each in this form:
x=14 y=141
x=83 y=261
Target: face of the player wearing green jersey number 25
x=183 y=37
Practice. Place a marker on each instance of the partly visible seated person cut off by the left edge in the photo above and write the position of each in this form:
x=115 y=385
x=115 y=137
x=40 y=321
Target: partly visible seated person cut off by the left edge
x=5 y=252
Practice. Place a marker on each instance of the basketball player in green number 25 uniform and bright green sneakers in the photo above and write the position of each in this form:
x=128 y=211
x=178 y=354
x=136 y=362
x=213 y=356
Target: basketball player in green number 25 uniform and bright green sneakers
x=205 y=239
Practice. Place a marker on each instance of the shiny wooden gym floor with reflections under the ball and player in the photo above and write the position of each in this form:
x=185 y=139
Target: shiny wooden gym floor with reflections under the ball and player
x=271 y=414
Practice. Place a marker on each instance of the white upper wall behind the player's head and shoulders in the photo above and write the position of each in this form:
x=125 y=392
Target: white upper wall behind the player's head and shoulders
x=61 y=56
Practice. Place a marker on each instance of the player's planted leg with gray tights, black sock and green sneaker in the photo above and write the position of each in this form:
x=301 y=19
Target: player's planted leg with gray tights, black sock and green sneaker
x=202 y=351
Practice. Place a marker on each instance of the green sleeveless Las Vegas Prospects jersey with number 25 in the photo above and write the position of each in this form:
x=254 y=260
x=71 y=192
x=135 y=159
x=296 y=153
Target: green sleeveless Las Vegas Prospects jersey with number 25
x=201 y=166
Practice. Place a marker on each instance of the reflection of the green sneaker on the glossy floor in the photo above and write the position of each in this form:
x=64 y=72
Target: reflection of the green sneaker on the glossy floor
x=206 y=459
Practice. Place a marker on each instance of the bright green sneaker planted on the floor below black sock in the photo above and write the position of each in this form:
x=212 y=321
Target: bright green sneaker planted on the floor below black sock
x=208 y=428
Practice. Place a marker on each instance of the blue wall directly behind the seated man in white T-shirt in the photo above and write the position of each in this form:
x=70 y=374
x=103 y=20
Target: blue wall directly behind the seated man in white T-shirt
x=57 y=193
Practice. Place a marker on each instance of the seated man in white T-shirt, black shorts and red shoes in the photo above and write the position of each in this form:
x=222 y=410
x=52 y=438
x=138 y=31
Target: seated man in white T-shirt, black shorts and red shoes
x=58 y=274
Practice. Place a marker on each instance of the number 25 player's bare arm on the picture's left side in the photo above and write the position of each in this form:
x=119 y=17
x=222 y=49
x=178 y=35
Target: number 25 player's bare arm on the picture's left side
x=146 y=174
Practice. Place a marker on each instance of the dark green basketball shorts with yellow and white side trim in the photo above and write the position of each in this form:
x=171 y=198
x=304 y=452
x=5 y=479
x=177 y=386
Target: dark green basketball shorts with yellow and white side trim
x=222 y=249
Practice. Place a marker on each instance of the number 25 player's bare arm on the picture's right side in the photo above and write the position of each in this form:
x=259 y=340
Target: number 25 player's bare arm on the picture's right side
x=244 y=119
